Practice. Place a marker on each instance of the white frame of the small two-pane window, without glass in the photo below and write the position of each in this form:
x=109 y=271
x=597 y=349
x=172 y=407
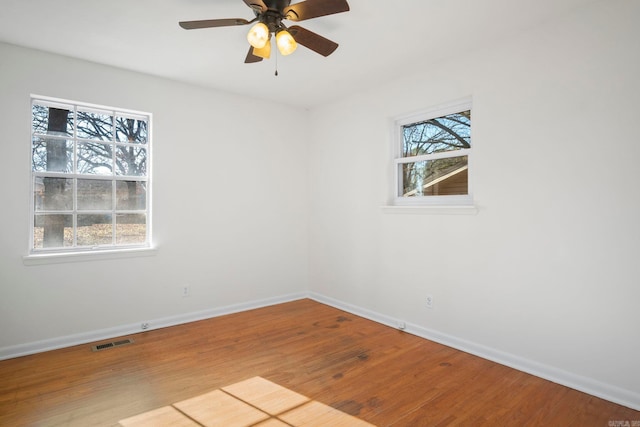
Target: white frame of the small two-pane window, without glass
x=438 y=202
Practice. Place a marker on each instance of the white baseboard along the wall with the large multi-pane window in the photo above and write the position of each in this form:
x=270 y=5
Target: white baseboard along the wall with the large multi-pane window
x=118 y=331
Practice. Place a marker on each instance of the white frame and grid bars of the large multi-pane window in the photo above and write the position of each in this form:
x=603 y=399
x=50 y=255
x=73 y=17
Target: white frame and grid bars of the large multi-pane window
x=113 y=250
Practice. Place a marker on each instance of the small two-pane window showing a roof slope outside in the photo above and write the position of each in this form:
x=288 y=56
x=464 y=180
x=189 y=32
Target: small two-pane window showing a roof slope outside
x=433 y=151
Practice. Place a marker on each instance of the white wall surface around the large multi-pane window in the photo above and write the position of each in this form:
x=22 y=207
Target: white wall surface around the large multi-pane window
x=229 y=205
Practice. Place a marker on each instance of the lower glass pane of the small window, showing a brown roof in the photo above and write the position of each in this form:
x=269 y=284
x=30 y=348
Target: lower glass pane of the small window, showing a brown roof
x=441 y=177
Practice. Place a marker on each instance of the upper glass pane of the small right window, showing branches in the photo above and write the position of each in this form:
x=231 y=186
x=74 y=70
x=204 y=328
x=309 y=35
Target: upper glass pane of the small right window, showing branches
x=446 y=133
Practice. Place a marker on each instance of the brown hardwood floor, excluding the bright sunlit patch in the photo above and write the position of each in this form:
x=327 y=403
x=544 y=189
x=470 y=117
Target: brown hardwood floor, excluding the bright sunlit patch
x=376 y=373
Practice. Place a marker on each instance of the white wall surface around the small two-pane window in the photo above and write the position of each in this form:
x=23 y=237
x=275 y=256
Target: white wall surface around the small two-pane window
x=547 y=272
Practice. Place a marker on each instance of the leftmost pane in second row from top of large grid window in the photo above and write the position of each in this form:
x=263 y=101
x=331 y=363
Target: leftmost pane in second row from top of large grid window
x=54 y=155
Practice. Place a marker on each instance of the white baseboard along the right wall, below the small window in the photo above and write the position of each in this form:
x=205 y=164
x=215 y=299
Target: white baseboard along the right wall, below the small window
x=587 y=385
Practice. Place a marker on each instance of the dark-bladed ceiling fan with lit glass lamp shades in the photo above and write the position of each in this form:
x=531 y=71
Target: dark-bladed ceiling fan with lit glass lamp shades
x=269 y=15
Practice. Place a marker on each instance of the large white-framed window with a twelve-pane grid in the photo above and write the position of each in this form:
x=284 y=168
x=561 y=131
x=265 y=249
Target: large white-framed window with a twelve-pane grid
x=90 y=177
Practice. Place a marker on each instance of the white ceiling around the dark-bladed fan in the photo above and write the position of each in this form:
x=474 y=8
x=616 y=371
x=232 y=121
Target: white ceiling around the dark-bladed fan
x=379 y=40
